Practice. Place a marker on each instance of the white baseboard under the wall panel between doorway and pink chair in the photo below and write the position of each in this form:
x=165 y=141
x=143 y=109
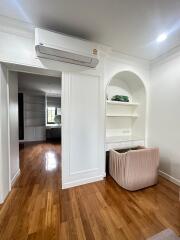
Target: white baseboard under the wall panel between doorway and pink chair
x=83 y=181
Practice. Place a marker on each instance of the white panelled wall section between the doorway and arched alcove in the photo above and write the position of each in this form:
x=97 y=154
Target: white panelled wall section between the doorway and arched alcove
x=82 y=130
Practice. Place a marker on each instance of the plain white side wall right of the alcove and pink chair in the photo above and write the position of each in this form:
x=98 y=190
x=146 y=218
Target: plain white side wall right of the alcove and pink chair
x=164 y=115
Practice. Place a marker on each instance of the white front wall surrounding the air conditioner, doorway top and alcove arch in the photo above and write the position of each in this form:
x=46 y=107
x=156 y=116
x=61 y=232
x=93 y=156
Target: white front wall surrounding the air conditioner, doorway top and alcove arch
x=17 y=49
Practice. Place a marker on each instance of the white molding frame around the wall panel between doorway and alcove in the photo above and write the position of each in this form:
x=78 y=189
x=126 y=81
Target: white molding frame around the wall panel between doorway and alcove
x=73 y=177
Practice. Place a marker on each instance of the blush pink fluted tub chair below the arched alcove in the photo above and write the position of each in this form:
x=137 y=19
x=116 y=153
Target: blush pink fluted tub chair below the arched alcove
x=135 y=169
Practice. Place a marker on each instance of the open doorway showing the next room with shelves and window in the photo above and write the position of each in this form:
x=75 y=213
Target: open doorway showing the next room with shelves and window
x=34 y=121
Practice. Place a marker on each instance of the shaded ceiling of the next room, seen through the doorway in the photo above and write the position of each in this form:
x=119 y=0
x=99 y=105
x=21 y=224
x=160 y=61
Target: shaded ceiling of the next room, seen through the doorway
x=39 y=84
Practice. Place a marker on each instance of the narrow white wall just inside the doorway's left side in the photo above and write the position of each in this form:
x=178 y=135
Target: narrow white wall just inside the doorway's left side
x=13 y=124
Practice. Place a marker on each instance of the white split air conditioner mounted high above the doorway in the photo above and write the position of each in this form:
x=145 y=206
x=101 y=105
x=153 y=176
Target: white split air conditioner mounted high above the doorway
x=59 y=47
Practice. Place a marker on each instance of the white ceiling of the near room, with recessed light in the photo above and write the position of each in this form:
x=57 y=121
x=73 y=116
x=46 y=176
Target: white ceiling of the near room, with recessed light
x=129 y=26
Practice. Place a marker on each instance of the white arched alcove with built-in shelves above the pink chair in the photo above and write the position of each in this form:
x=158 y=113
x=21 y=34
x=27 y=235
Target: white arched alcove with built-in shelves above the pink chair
x=125 y=121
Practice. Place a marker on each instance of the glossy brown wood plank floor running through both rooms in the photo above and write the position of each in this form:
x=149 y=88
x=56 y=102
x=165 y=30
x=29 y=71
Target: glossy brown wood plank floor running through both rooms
x=37 y=209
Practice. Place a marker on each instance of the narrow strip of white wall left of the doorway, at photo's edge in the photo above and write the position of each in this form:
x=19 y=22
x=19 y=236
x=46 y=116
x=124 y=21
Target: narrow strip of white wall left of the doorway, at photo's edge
x=4 y=135
